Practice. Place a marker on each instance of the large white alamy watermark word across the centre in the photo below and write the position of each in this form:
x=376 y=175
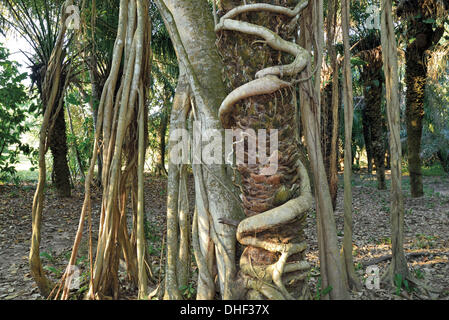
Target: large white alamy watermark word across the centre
x=239 y=147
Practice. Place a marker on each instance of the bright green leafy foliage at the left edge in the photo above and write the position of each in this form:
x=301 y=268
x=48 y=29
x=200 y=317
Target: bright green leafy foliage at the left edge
x=15 y=115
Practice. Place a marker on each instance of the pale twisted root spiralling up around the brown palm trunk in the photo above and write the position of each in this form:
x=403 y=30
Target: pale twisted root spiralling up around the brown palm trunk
x=262 y=279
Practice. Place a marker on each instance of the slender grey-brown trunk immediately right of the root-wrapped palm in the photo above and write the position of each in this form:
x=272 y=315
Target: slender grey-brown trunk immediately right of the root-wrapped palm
x=331 y=271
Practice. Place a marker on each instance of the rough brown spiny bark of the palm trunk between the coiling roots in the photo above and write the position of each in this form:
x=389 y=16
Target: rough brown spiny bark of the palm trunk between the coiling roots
x=262 y=193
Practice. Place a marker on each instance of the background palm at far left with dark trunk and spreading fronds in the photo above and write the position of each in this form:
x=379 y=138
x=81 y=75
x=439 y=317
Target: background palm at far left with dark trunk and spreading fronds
x=37 y=22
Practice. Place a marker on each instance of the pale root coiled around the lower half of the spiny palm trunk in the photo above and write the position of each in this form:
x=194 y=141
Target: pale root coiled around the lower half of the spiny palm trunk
x=256 y=233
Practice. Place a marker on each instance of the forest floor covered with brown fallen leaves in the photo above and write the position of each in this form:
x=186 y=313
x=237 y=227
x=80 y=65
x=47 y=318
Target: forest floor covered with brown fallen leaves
x=426 y=235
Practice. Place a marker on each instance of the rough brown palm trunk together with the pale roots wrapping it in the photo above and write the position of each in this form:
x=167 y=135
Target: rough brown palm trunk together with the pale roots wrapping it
x=268 y=271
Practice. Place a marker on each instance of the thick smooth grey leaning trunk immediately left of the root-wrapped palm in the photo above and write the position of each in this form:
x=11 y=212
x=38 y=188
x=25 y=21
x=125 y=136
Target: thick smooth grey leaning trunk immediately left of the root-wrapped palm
x=191 y=29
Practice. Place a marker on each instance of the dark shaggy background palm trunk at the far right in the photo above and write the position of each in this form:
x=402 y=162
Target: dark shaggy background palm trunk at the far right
x=423 y=23
